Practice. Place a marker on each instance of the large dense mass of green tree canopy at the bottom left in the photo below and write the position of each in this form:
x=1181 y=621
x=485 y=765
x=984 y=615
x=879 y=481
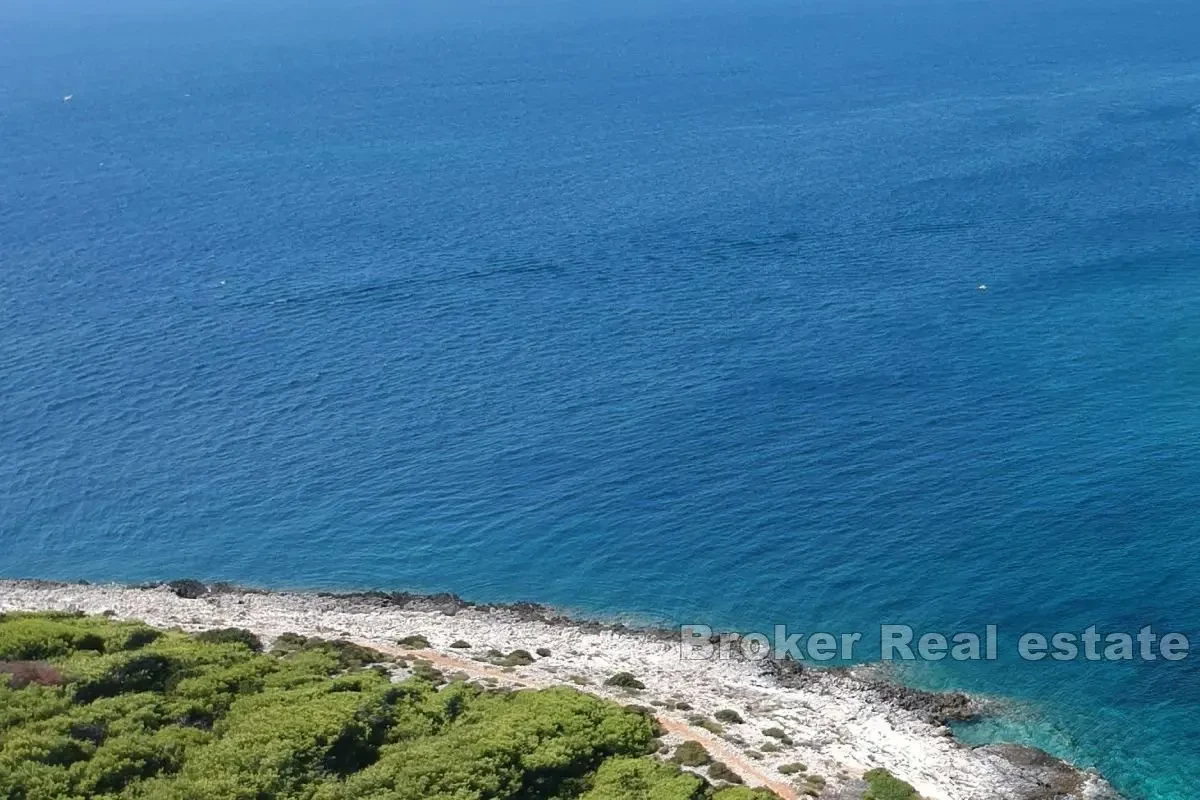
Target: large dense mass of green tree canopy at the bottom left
x=97 y=709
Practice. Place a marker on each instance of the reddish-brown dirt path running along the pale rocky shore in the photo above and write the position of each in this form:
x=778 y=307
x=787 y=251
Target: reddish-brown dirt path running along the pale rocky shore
x=752 y=773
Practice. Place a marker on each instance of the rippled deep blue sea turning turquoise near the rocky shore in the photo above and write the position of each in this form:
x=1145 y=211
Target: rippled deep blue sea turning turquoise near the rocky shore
x=662 y=310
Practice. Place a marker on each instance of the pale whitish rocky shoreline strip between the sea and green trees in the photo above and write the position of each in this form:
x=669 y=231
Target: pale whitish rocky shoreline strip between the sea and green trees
x=841 y=721
